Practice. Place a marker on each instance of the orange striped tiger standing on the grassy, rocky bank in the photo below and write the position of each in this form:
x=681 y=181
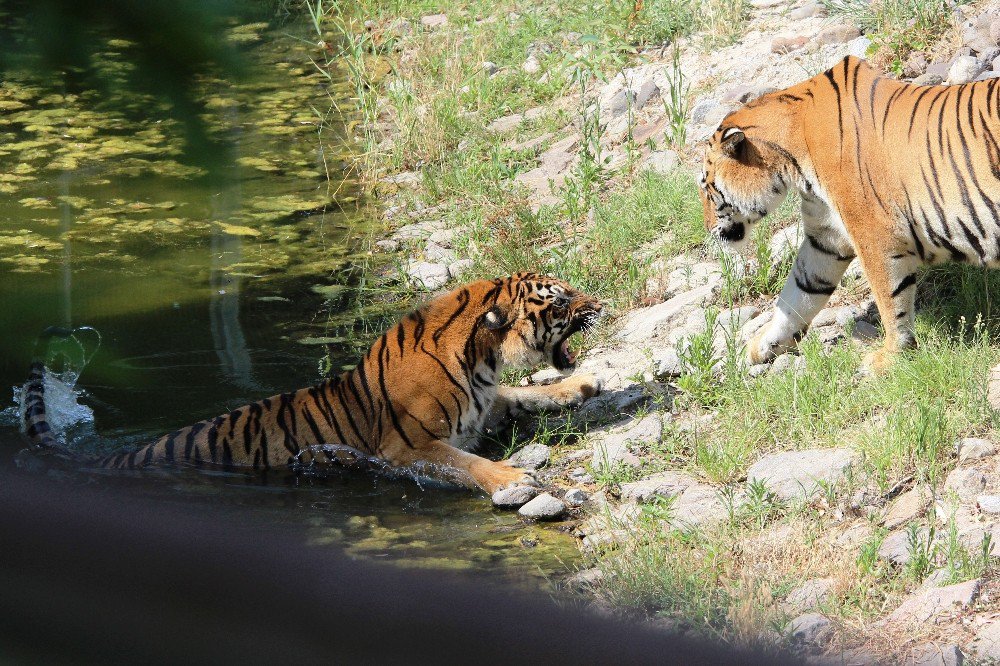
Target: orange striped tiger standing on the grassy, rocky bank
x=894 y=173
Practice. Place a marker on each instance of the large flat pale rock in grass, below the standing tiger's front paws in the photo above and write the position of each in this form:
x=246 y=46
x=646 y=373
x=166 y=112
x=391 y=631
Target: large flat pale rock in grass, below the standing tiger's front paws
x=797 y=474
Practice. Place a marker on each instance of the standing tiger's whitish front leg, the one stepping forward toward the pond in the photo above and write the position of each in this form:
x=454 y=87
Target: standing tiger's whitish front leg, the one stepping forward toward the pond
x=820 y=264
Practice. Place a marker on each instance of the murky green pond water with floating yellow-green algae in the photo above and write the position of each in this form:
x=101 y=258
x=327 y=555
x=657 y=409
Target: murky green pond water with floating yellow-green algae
x=208 y=291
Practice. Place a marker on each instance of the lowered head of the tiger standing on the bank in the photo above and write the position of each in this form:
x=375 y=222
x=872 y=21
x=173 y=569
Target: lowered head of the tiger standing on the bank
x=742 y=181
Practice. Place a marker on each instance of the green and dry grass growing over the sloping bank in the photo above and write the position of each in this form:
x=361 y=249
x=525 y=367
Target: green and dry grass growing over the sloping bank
x=427 y=98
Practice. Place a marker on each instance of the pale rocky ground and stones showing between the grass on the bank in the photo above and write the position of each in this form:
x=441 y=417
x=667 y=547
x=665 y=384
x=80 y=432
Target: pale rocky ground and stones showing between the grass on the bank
x=609 y=479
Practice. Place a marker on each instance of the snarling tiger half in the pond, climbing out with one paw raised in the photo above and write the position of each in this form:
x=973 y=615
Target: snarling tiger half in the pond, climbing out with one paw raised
x=422 y=394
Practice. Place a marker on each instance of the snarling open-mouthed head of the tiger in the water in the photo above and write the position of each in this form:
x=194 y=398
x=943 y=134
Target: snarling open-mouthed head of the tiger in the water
x=535 y=317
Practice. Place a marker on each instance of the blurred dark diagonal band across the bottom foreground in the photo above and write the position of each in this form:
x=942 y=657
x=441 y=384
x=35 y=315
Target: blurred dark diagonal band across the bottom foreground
x=97 y=576
